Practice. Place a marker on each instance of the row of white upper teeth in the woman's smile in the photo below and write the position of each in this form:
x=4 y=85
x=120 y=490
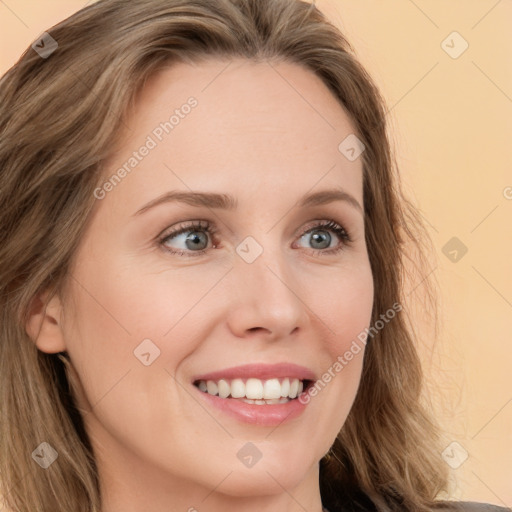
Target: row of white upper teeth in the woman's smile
x=253 y=388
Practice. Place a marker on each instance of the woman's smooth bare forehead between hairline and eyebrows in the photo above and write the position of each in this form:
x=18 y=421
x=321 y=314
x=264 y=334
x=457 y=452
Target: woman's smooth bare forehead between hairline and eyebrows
x=251 y=124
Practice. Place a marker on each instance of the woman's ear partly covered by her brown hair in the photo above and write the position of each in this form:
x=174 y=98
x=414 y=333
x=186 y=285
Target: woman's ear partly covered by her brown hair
x=44 y=325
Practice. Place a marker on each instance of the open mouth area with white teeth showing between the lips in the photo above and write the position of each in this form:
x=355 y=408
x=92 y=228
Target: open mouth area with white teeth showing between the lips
x=255 y=391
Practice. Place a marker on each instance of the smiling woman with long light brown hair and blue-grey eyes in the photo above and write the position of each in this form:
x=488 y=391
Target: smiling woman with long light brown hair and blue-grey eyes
x=203 y=242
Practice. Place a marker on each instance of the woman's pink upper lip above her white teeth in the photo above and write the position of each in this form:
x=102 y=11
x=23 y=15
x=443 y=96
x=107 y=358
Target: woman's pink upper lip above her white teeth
x=259 y=371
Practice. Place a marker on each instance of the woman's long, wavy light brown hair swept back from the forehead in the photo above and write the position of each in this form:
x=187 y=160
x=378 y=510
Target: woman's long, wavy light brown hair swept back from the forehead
x=60 y=118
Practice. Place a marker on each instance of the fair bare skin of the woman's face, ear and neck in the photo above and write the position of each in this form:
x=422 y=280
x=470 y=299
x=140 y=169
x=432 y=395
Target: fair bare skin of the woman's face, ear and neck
x=266 y=133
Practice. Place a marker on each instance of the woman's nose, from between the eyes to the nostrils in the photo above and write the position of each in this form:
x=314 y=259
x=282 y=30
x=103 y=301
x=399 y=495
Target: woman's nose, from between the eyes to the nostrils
x=267 y=295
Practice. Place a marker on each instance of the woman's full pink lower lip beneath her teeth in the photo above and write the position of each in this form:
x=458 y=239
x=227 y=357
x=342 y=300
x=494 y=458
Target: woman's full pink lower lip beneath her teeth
x=267 y=415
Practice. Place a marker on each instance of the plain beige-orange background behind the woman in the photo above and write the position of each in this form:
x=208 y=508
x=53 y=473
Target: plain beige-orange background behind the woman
x=452 y=122
